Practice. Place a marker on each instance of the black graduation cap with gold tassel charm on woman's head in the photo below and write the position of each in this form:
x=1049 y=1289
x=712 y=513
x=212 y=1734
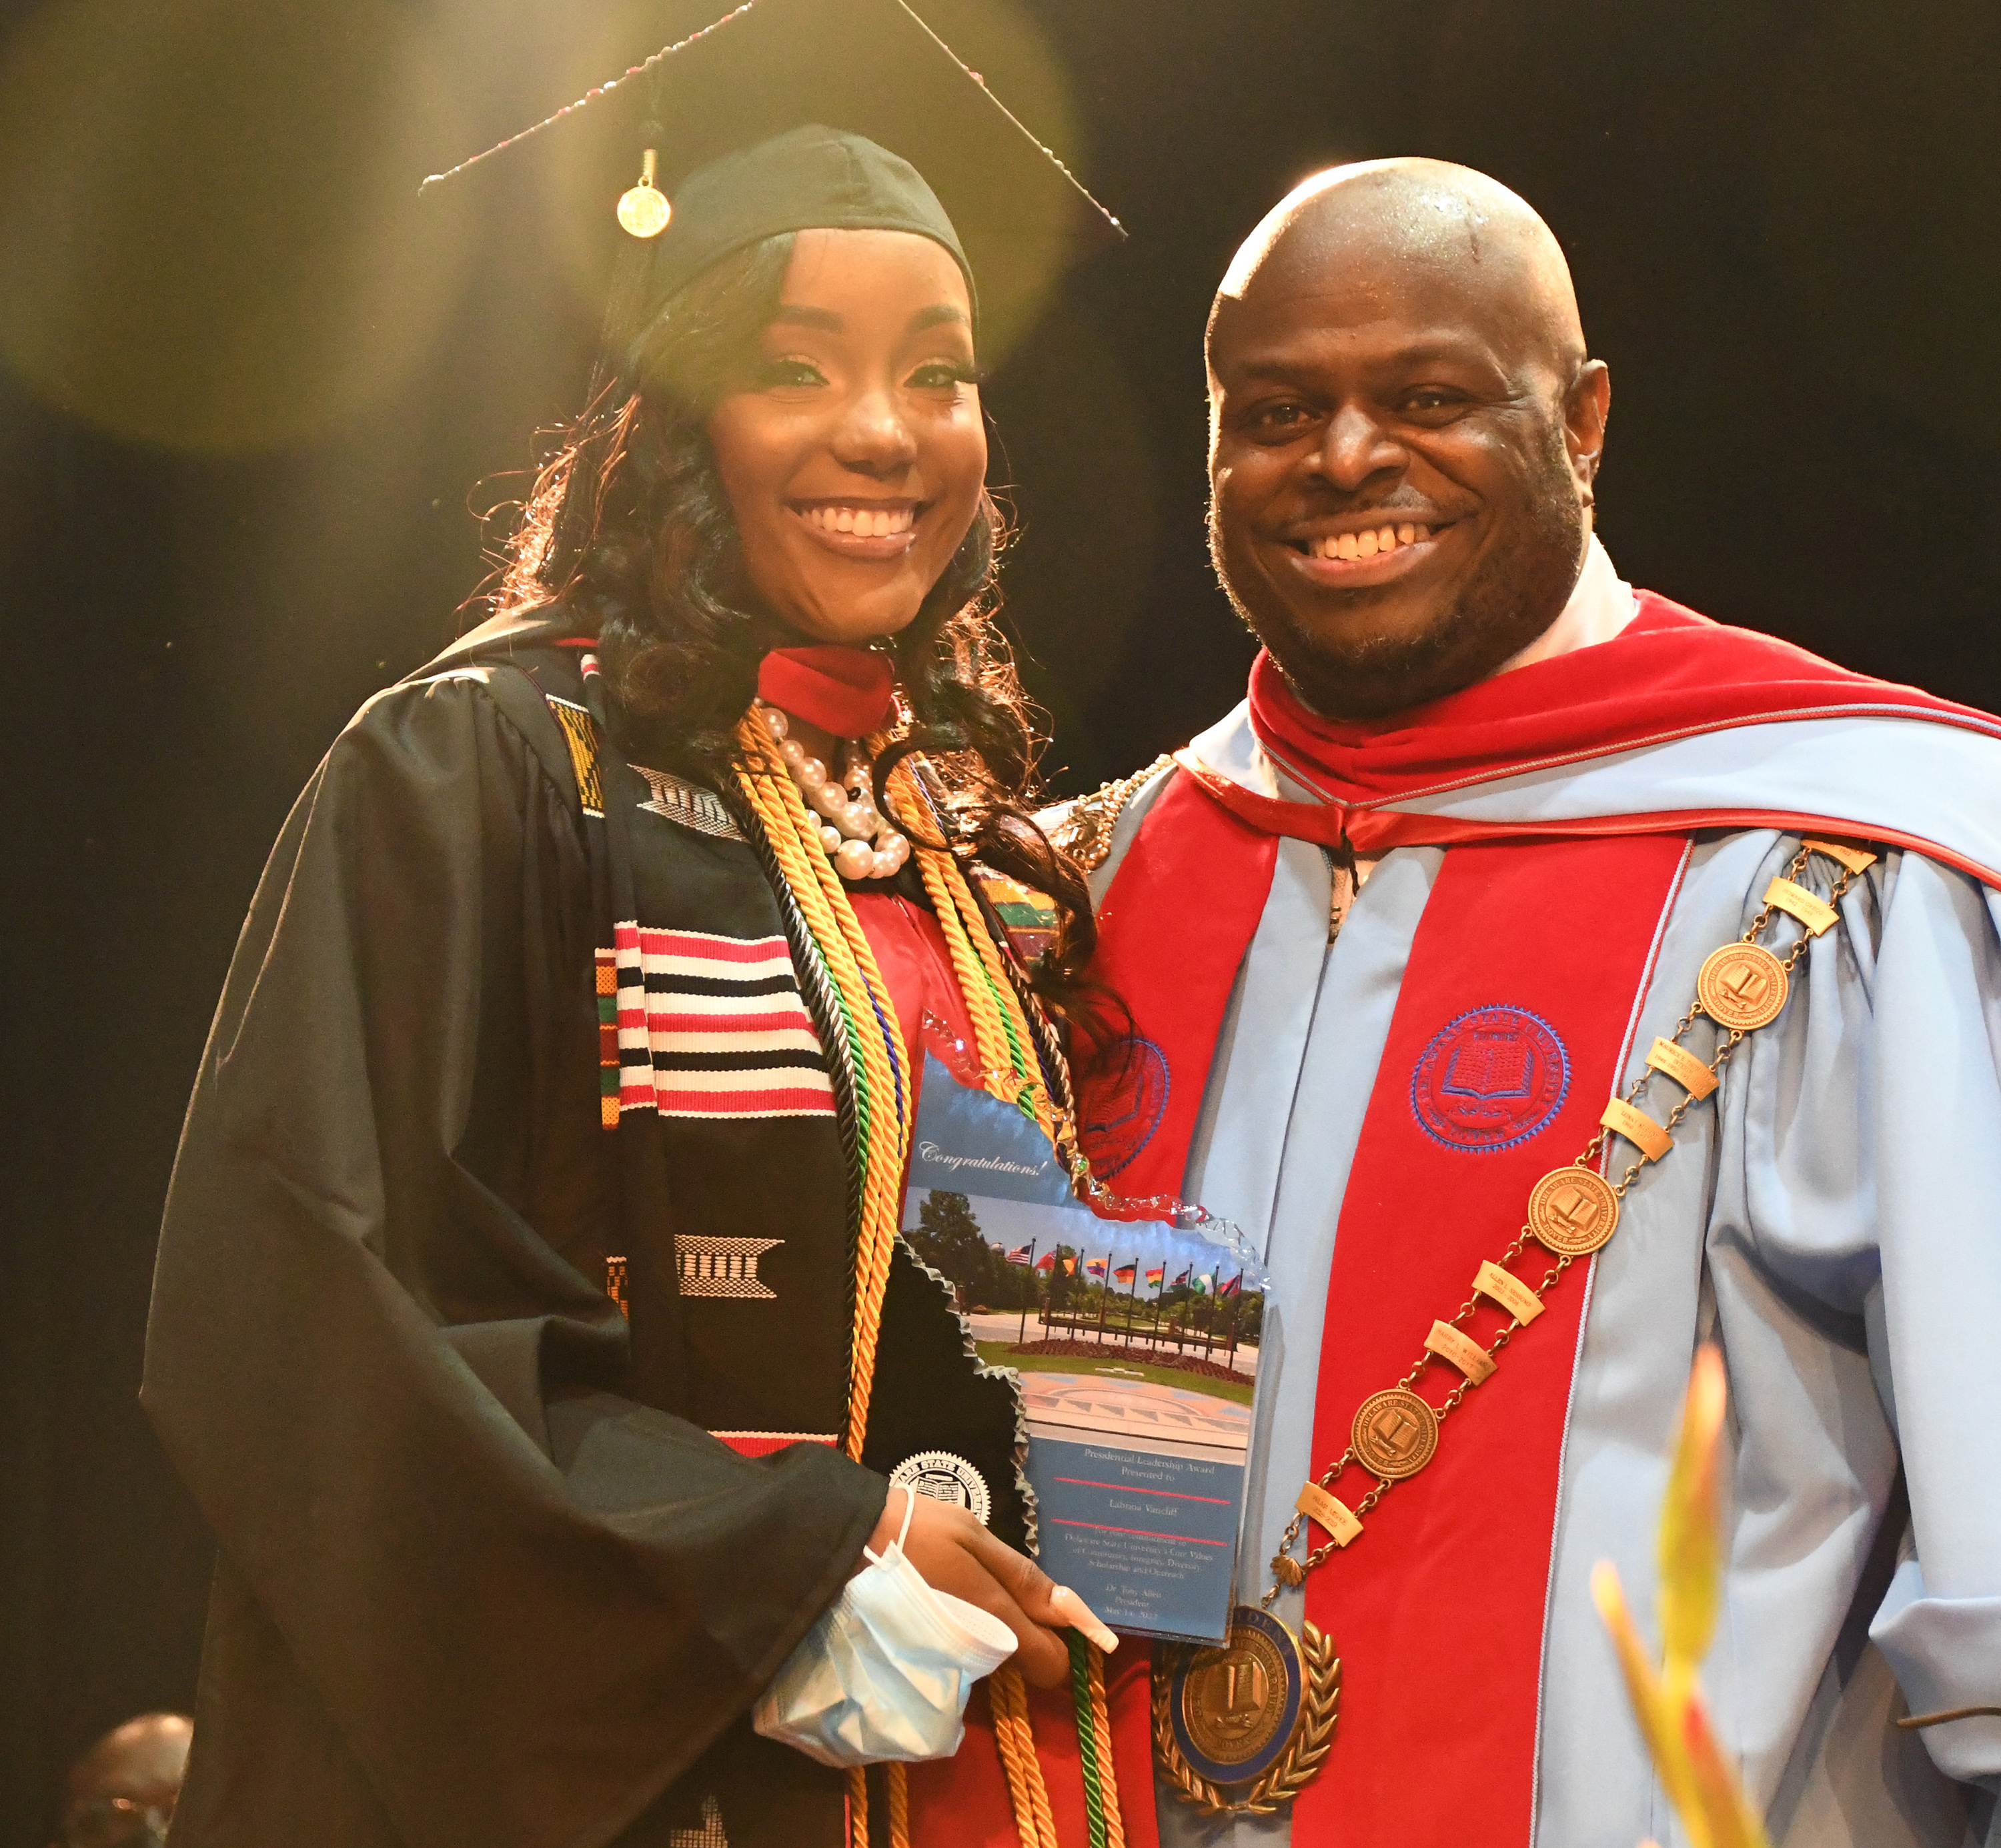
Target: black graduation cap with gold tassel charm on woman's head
x=821 y=113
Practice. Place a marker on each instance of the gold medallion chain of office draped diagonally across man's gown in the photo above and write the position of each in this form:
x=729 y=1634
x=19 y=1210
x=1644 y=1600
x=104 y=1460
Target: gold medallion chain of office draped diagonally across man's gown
x=1572 y=1213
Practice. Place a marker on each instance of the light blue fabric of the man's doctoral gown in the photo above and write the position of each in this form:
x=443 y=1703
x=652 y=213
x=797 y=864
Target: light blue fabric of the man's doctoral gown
x=1834 y=1223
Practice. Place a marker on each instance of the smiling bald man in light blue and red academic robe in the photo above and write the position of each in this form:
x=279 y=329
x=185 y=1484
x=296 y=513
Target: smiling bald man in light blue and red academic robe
x=1550 y=981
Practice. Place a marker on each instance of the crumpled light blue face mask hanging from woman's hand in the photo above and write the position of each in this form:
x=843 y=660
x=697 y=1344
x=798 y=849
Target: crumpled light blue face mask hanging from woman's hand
x=887 y=1669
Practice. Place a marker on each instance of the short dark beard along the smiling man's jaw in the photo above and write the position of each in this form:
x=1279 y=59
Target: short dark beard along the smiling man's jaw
x=1500 y=611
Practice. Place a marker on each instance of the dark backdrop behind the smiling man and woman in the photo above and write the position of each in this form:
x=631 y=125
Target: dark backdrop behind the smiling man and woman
x=243 y=405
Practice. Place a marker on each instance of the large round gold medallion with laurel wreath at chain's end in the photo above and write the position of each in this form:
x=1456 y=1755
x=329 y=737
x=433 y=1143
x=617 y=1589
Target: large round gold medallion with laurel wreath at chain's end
x=1242 y=1727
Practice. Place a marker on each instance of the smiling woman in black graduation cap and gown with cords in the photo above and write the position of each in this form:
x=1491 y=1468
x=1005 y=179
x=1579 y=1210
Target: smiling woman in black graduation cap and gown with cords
x=601 y=961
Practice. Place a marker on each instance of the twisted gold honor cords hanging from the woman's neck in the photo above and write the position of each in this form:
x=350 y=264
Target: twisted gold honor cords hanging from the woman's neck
x=1006 y=1049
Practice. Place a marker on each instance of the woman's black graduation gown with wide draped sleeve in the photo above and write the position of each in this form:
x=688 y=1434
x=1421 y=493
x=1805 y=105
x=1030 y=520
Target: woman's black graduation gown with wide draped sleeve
x=479 y=1581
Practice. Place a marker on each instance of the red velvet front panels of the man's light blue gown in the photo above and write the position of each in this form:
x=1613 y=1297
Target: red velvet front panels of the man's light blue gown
x=1512 y=1025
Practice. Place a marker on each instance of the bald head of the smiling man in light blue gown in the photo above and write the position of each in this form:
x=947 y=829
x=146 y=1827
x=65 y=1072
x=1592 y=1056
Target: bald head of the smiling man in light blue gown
x=1398 y=351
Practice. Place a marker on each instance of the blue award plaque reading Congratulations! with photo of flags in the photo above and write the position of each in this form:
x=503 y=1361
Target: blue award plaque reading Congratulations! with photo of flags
x=1138 y=1349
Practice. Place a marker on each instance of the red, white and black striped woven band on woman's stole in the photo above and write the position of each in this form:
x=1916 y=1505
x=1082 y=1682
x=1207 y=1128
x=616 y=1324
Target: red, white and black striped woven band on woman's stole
x=715 y=1027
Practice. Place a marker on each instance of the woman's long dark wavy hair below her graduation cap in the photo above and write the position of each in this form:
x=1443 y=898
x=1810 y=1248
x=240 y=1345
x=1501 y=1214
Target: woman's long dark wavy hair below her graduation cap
x=631 y=533
